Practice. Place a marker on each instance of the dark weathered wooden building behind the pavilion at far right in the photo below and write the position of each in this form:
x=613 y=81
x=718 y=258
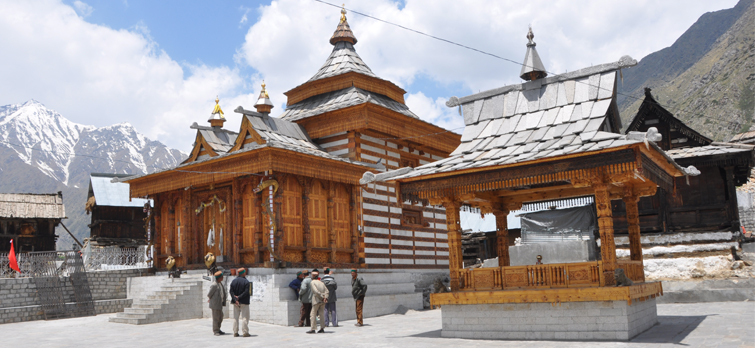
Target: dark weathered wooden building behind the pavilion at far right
x=707 y=202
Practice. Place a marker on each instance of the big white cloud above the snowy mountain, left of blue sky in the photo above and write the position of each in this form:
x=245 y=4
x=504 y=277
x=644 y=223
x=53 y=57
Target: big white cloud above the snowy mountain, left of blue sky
x=96 y=75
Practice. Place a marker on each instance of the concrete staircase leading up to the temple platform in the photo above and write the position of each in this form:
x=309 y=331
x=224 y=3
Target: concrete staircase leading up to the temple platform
x=180 y=299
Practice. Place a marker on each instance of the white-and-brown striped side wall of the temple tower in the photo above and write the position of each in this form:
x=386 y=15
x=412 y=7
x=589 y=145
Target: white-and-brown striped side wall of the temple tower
x=389 y=240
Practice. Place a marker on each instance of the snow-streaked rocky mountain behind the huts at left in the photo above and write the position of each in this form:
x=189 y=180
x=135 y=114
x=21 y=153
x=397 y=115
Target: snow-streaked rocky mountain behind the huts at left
x=36 y=147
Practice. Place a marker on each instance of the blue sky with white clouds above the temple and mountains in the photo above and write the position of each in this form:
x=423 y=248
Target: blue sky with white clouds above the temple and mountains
x=159 y=64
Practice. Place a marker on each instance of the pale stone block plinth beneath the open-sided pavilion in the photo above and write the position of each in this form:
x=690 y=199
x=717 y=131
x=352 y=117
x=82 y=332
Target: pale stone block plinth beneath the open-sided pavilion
x=605 y=320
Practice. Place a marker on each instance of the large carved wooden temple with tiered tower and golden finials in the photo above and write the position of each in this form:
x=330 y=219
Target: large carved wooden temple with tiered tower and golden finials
x=284 y=191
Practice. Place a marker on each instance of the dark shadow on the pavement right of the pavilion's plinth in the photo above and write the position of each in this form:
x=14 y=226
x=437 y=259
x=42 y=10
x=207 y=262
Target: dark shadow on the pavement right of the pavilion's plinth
x=670 y=329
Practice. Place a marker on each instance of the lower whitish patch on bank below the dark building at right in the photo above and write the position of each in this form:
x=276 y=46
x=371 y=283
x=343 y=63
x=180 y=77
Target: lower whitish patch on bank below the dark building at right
x=685 y=267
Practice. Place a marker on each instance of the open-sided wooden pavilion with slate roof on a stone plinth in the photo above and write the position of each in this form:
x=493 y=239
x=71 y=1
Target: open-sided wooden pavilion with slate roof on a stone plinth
x=547 y=138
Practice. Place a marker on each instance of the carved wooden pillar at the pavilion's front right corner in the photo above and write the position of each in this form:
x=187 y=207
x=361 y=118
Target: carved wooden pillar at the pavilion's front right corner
x=605 y=224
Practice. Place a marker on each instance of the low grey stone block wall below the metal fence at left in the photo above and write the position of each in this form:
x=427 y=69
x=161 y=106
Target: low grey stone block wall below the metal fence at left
x=19 y=300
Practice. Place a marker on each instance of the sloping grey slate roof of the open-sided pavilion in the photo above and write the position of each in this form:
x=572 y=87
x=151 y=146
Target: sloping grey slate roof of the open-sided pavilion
x=549 y=117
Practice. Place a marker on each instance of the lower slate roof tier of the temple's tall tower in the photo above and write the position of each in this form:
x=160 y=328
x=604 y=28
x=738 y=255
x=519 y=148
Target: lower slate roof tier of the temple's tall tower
x=341 y=99
